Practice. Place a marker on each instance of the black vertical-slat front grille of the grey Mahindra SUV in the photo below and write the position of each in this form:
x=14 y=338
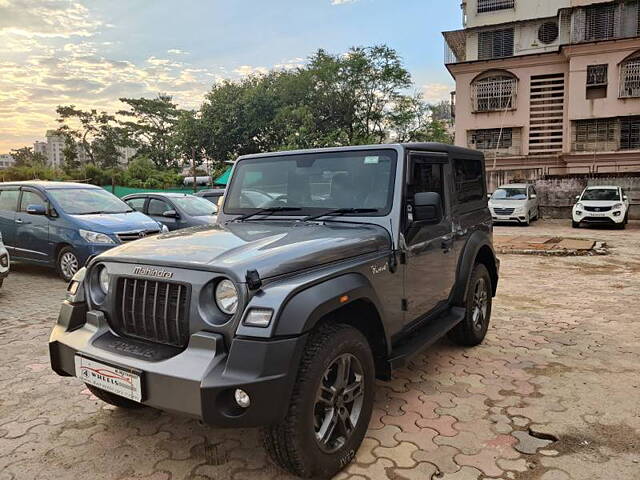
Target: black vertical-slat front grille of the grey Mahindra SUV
x=152 y=310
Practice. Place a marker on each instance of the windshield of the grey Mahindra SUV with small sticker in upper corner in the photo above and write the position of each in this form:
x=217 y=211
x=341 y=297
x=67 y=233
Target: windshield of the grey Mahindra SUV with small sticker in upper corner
x=314 y=182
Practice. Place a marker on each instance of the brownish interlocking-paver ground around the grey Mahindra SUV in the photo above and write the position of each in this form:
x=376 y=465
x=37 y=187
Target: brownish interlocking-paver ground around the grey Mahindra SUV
x=562 y=357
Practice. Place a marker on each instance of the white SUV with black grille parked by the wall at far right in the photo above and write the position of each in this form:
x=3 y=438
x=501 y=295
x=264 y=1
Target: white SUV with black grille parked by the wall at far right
x=604 y=205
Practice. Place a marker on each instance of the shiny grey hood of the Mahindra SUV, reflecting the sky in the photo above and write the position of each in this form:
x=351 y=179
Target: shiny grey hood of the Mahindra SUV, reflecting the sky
x=271 y=248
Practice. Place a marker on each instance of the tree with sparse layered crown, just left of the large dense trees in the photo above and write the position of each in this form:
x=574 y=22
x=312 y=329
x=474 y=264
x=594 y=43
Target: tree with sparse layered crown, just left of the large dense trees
x=151 y=126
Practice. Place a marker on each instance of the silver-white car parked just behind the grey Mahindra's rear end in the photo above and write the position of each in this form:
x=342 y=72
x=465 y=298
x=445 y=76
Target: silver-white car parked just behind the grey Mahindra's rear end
x=515 y=203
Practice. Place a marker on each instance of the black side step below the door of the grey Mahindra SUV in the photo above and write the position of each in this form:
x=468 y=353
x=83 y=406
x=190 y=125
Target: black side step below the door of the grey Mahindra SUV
x=427 y=335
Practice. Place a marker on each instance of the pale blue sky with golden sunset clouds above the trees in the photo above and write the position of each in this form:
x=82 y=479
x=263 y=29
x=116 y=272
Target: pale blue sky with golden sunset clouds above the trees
x=90 y=53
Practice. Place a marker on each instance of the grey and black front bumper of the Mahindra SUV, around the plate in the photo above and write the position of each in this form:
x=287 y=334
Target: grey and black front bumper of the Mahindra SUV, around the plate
x=199 y=381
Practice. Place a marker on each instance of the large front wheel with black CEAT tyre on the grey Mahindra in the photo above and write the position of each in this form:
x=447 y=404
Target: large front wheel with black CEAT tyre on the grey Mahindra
x=330 y=406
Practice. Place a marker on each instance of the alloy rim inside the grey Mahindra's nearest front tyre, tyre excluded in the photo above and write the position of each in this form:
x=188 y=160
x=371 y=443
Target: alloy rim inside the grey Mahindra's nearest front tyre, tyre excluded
x=339 y=402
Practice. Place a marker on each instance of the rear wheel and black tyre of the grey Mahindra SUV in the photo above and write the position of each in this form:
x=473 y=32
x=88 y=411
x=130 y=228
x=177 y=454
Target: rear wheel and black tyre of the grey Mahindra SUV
x=472 y=330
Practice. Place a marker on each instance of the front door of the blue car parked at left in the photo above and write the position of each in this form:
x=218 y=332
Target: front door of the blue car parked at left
x=32 y=231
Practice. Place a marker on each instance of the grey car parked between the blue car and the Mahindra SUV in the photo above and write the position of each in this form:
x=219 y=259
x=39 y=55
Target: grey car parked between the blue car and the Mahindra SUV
x=174 y=210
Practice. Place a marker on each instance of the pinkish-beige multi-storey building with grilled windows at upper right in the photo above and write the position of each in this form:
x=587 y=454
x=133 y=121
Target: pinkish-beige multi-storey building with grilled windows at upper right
x=548 y=86
